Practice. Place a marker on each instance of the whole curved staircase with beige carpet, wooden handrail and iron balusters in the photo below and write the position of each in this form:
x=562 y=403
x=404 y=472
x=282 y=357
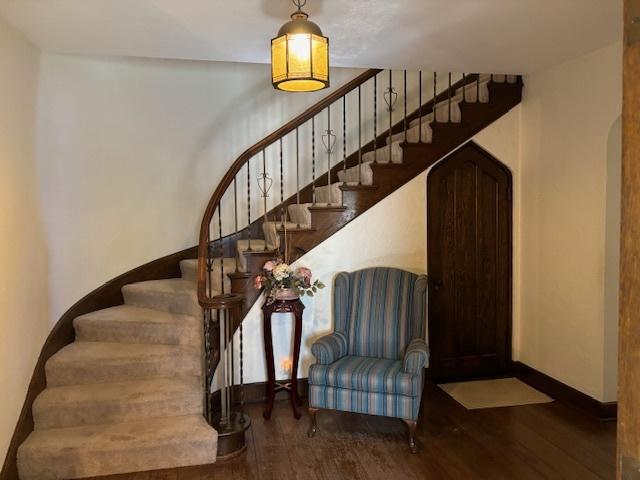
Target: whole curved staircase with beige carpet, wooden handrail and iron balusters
x=127 y=395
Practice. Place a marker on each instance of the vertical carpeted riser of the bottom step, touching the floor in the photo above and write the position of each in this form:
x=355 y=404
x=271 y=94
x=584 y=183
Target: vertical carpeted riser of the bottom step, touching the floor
x=81 y=464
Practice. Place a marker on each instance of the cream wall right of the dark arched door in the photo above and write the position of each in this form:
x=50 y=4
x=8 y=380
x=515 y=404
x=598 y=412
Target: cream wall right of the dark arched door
x=567 y=115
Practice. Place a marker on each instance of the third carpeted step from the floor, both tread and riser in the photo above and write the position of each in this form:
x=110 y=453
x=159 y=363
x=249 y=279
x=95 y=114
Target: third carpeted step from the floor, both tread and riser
x=96 y=362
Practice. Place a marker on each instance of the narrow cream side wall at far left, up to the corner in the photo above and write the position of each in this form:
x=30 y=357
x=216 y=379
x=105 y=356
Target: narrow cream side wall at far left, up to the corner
x=24 y=293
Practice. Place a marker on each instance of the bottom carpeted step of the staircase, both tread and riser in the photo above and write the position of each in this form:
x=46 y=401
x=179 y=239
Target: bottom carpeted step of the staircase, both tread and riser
x=95 y=450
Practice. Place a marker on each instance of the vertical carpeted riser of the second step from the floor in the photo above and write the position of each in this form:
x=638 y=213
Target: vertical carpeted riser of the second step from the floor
x=77 y=414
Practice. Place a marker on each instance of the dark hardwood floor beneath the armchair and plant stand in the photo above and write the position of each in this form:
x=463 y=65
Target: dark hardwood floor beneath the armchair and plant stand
x=546 y=441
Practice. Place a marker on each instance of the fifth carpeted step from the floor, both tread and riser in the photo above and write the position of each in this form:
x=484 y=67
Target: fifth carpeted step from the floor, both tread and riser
x=174 y=295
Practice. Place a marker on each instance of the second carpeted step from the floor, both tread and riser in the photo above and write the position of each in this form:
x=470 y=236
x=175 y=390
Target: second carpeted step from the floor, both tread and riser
x=116 y=402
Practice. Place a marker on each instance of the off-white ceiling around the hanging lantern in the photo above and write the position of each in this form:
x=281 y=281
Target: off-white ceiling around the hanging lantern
x=511 y=36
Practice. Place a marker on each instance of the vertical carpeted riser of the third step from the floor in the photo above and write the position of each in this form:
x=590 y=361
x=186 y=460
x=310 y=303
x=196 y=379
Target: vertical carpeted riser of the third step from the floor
x=187 y=364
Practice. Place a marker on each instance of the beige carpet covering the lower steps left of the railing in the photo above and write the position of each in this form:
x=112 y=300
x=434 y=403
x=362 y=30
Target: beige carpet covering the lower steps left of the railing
x=126 y=396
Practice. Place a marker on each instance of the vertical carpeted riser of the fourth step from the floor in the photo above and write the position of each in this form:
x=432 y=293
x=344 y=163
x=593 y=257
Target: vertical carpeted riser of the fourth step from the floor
x=126 y=332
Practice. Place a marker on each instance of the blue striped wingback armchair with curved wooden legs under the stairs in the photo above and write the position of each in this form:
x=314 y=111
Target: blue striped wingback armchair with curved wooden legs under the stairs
x=374 y=360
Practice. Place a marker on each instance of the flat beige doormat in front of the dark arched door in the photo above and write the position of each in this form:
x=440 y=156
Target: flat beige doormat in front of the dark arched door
x=501 y=392
